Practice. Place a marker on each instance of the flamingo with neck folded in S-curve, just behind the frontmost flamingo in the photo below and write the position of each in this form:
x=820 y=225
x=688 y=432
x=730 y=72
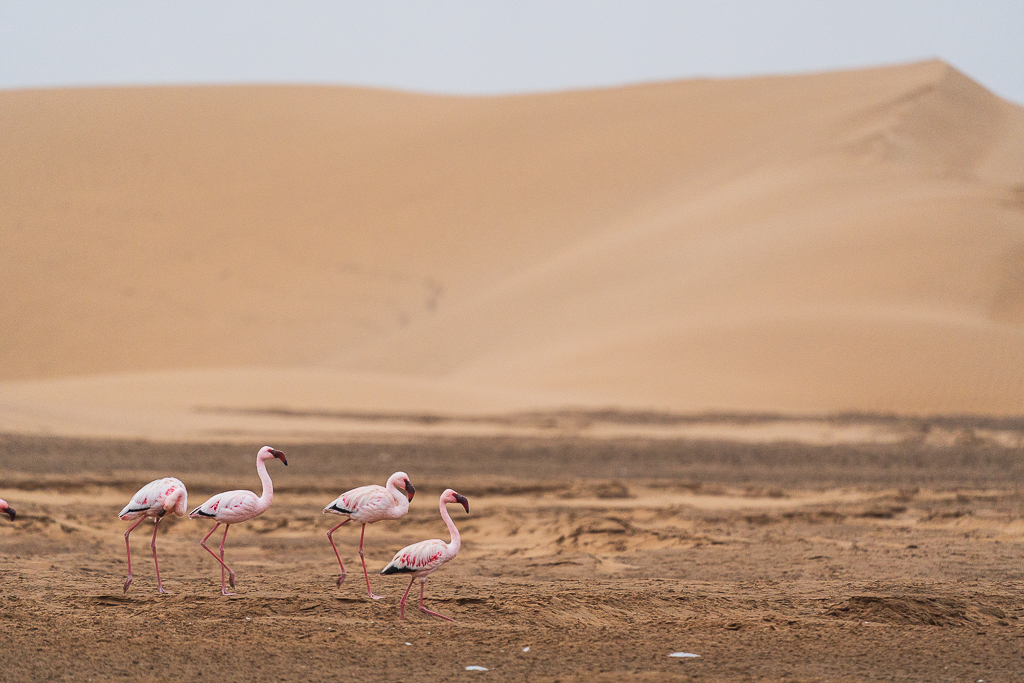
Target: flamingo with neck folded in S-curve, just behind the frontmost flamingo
x=368 y=505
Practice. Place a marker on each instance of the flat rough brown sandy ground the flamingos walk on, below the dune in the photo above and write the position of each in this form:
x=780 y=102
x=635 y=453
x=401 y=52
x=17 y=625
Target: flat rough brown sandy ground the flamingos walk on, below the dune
x=773 y=563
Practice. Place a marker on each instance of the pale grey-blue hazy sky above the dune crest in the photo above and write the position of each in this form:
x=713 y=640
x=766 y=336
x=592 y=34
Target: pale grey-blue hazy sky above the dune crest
x=496 y=47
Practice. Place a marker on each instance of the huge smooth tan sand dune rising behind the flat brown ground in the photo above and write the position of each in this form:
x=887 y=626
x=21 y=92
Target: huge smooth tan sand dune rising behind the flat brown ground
x=838 y=242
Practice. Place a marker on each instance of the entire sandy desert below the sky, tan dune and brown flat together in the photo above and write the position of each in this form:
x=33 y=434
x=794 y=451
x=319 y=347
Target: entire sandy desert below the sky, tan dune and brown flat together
x=728 y=368
